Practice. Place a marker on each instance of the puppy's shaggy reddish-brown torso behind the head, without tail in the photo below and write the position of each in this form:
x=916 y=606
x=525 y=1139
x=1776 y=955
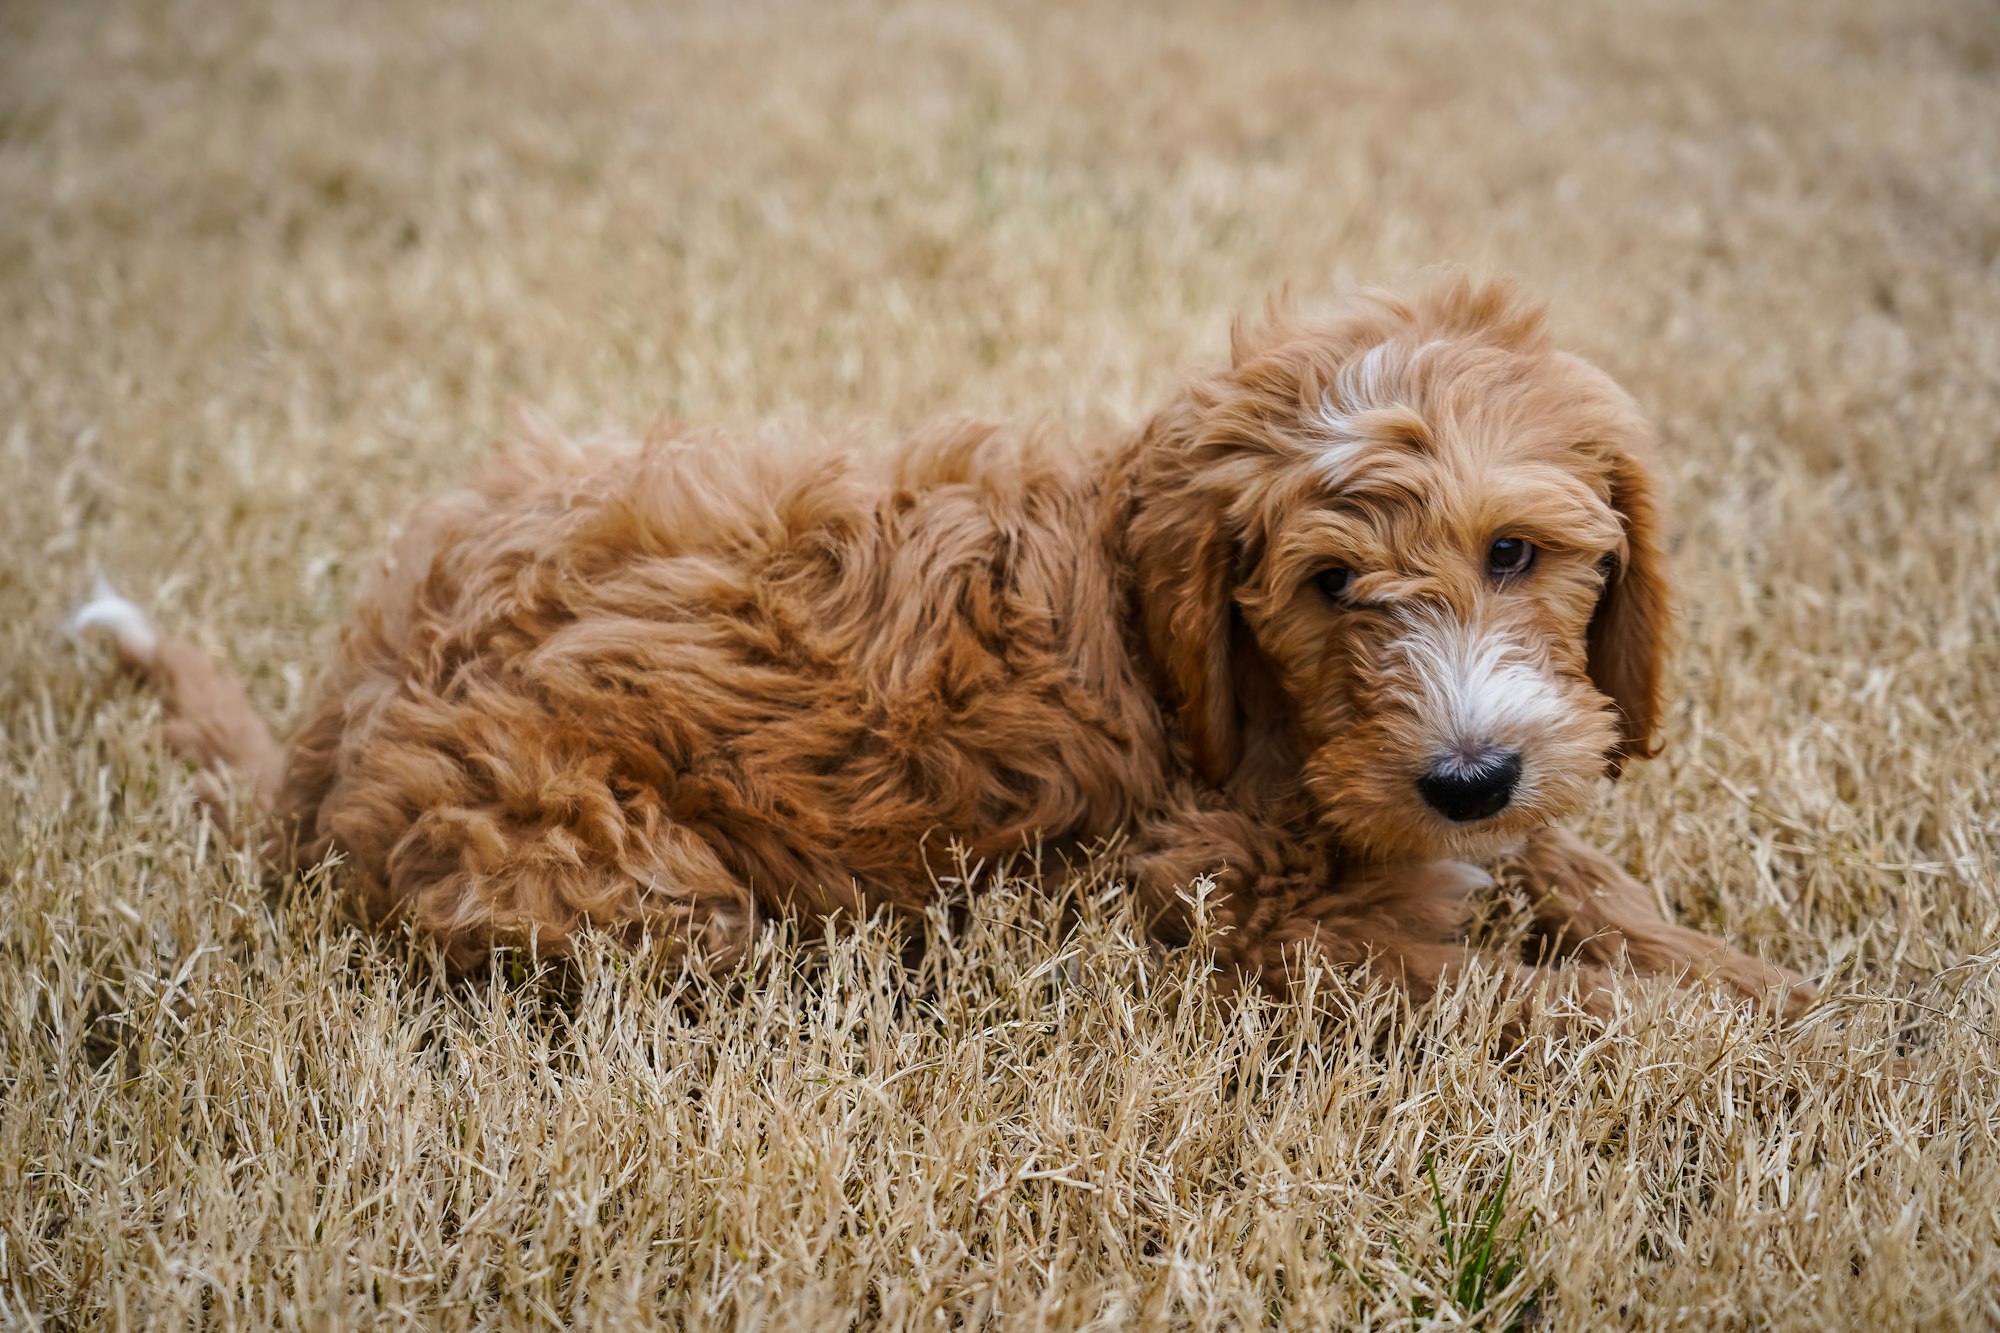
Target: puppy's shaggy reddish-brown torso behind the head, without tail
x=679 y=684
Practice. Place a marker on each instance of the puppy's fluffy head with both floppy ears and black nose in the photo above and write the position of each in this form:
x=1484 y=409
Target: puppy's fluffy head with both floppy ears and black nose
x=1407 y=557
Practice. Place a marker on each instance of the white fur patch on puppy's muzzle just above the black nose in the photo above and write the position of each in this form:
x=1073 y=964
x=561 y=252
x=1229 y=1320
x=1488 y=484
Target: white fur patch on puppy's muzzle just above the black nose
x=1477 y=688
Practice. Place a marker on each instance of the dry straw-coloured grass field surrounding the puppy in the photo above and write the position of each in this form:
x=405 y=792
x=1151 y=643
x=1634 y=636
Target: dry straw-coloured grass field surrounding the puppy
x=271 y=269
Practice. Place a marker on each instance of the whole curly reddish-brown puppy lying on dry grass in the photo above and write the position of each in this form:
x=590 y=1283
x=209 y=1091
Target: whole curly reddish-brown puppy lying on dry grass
x=1379 y=599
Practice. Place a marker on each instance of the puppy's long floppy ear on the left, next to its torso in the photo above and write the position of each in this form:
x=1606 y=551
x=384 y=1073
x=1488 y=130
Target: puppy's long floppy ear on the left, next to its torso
x=1185 y=569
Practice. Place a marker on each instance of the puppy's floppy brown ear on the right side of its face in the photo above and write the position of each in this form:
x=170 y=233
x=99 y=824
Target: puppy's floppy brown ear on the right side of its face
x=1629 y=627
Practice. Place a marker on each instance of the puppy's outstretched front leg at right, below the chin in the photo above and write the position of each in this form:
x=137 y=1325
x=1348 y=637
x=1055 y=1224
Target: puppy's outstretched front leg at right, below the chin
x=1591 y=910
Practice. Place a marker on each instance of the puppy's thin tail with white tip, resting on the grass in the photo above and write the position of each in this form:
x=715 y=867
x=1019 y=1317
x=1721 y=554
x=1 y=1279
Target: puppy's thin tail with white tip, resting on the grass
x=209 y=718
